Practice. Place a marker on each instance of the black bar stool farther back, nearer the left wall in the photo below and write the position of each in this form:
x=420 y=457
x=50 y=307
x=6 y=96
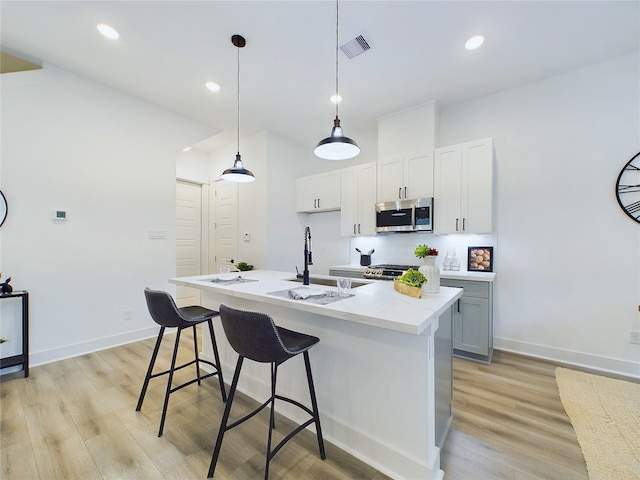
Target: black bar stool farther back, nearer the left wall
x=165 y=313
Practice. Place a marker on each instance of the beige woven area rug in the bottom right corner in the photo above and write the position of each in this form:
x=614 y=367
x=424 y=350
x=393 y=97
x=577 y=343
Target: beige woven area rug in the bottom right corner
x=605 y=414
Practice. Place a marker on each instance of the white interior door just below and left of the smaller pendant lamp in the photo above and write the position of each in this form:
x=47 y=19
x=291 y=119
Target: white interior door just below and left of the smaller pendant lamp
x=225 y=242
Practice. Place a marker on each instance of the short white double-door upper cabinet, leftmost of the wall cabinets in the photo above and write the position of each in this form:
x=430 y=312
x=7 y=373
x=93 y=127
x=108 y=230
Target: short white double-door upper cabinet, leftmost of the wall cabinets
x=318 y=193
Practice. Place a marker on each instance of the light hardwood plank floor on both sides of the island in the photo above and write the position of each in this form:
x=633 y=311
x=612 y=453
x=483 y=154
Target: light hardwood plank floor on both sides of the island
x=76 y=419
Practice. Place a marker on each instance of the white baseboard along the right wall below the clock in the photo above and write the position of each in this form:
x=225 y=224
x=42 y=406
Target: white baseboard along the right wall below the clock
x=568 y=357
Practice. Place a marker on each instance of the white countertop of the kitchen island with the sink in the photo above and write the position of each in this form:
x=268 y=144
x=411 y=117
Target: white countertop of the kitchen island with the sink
x=376 y=304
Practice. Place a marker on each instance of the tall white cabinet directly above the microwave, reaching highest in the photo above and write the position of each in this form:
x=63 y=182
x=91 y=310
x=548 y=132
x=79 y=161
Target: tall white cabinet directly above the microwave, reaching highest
x=406 y=141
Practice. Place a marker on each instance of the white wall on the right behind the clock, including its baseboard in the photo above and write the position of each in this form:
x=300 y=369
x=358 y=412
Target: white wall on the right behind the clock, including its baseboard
x=569 y=259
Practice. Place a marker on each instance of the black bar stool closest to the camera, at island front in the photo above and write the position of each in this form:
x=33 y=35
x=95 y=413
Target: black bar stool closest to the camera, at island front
x=255 y=336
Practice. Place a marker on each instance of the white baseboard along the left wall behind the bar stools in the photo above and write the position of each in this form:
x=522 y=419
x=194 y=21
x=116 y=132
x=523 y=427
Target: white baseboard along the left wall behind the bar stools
x=70 y=351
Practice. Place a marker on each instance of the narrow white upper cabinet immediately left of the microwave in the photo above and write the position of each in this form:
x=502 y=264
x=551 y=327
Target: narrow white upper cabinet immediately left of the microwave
x=358 y=198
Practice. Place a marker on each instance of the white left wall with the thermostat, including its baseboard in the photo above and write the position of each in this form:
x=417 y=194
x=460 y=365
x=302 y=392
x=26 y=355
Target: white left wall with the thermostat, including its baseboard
x=110 y=160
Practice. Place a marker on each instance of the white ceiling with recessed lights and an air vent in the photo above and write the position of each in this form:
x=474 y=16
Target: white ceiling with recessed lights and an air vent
x=168 y=49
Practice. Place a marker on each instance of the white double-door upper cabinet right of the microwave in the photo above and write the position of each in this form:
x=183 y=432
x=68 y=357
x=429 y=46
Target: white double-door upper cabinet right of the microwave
x=463 y=188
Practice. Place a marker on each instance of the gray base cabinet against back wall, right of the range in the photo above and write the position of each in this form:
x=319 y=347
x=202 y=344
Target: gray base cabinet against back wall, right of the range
x=473 y=320
